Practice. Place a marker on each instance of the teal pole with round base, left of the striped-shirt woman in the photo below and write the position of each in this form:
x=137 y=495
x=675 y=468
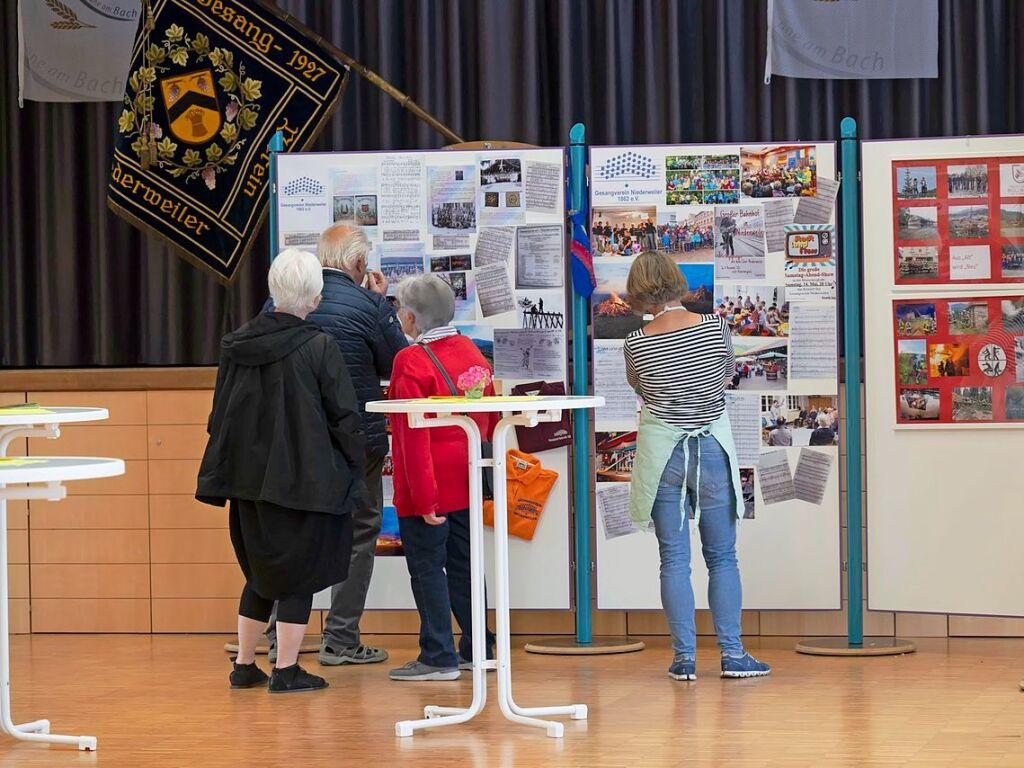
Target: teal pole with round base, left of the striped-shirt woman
x=584 y=643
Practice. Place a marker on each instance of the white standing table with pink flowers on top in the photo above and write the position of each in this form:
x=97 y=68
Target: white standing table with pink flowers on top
x=453 y=412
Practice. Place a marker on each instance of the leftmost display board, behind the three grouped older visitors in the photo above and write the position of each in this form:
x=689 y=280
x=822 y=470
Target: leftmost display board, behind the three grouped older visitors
x=492 y=224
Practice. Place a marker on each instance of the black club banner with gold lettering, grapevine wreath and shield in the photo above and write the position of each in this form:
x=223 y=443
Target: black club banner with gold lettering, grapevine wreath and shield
x=209 y=86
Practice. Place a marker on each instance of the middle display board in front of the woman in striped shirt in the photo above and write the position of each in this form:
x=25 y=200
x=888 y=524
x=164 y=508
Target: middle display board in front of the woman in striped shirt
x=752 y=230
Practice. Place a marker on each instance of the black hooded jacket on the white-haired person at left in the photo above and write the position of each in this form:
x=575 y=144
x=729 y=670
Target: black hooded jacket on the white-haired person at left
x=285 y=426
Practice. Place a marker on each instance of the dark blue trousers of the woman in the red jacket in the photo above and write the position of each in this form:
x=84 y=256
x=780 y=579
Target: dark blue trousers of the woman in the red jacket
x=438 y=558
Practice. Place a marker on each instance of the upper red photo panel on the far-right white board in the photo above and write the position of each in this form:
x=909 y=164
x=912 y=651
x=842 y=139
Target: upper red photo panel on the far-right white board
x=959 y=221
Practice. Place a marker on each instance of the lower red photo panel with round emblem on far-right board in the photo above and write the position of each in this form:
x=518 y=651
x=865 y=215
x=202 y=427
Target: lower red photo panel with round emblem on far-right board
x=959 y=361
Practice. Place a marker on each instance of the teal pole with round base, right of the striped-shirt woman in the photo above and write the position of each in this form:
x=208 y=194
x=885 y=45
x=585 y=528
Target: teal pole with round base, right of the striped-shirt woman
x=855 y=644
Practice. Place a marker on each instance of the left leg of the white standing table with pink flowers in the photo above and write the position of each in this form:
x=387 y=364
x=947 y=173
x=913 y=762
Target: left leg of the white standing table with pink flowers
x=436 y=717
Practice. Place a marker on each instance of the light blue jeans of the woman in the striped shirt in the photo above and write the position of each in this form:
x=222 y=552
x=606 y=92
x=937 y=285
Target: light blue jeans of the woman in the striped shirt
x=718 y=538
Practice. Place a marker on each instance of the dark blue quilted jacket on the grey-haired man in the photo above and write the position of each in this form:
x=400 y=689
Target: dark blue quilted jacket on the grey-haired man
x=369 y=334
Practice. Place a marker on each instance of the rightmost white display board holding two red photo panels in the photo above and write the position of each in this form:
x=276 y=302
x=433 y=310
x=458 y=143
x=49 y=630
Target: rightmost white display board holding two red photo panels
x=945 y=373
